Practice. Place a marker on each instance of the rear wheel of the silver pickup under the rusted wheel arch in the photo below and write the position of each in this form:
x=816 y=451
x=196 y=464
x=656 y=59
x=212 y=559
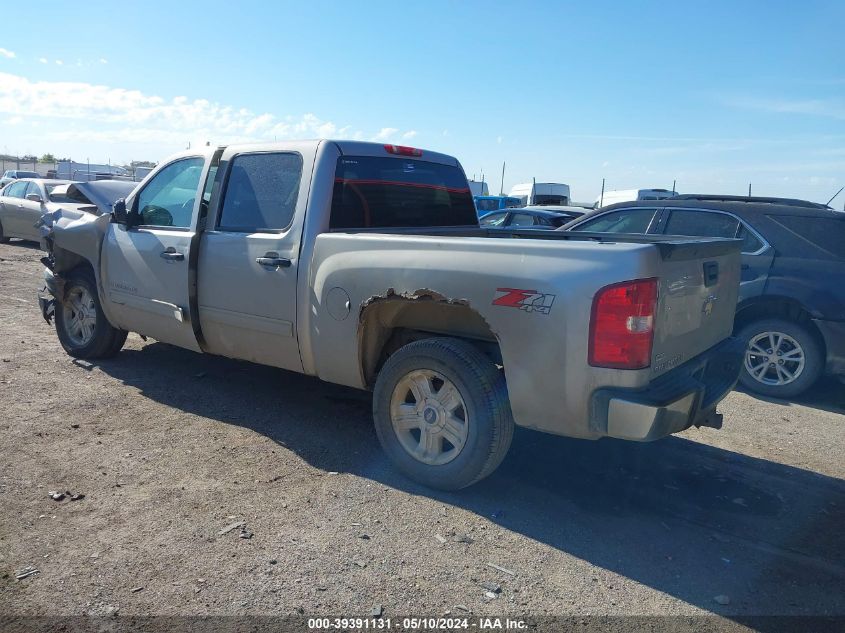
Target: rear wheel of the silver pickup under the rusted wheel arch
x=466 y=428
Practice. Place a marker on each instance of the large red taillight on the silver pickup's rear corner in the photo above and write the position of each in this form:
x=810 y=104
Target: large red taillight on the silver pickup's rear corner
x=622 y=325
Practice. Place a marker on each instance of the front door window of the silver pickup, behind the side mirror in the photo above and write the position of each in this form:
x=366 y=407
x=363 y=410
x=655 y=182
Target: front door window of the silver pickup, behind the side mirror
x=168 y=199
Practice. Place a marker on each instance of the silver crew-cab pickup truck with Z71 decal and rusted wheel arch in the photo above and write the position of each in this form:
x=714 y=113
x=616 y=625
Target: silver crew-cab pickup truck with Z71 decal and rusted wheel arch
x=363 y=264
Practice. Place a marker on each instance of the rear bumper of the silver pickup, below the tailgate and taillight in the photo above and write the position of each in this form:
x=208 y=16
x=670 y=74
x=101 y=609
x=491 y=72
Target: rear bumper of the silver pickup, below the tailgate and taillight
x=675 y=401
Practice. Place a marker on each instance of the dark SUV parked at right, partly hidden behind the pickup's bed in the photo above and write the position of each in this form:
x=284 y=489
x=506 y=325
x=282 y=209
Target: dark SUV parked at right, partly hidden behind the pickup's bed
x=791 y=307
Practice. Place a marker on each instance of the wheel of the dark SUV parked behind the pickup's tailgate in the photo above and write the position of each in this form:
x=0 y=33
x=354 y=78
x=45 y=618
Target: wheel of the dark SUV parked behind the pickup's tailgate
x=796 y=354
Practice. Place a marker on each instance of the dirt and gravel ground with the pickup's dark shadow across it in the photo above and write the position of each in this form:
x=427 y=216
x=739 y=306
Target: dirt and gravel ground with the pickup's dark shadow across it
x=170 y=447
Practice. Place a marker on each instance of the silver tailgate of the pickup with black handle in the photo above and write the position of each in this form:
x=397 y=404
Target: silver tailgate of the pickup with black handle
x=698 y=285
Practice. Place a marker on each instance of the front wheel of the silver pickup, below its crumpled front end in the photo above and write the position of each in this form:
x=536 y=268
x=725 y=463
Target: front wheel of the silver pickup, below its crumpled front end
x=81 y=325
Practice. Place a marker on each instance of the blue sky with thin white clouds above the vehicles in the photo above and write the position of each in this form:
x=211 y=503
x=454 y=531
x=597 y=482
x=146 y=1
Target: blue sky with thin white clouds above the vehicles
x=712 y=94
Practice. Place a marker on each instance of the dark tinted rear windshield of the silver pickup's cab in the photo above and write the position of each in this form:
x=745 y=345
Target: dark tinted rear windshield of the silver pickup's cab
x=376 y=192
